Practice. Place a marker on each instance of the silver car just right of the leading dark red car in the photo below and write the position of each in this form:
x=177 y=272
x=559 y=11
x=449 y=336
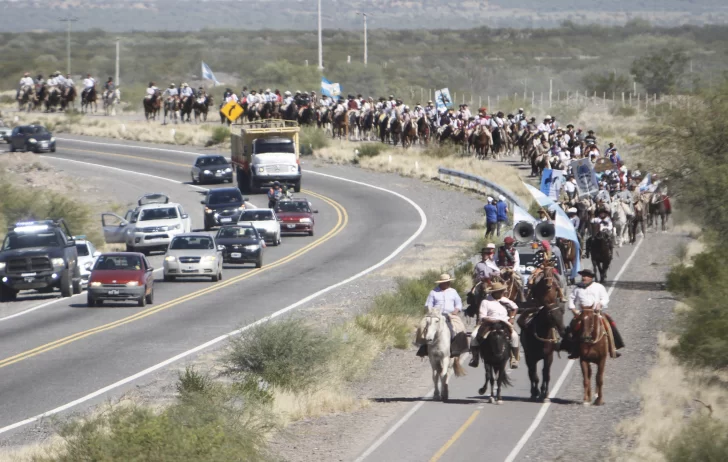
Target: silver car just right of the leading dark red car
x=193 y=255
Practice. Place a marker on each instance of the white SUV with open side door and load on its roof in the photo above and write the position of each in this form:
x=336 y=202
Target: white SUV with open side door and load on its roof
x=150 y=226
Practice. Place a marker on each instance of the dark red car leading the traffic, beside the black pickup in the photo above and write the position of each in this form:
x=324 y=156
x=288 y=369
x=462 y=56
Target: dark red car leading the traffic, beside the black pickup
x=121 y=276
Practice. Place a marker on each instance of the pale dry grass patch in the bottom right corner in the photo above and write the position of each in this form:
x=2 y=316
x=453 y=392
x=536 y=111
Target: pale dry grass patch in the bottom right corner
x=670 y=395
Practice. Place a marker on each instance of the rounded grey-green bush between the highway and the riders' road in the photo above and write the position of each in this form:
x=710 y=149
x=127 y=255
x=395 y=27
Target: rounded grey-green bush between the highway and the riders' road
x=287 y=354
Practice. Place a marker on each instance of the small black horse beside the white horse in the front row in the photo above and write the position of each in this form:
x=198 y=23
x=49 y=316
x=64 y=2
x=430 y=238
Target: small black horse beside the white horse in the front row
x=495 y=353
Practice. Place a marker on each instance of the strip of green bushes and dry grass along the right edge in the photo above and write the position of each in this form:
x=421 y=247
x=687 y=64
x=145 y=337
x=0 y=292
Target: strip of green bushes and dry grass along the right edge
x=685 y=397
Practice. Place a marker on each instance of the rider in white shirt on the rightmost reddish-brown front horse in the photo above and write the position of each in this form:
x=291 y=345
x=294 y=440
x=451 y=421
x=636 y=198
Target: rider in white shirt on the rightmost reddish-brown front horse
x=588 y=294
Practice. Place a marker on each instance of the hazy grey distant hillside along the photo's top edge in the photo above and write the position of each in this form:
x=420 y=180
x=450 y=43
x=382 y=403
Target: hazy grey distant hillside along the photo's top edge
x=128 y=15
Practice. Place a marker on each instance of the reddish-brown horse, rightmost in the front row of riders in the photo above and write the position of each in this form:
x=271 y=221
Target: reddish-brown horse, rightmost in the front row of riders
x=593 y=349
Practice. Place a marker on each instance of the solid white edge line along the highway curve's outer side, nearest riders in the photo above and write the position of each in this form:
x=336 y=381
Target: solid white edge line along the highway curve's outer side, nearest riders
x=149 y=370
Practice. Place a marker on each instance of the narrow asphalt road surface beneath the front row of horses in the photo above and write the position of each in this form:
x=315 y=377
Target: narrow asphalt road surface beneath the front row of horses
x=468 y=427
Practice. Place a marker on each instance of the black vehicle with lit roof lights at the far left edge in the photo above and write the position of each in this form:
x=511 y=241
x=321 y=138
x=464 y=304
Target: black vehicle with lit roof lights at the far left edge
x=39 y=255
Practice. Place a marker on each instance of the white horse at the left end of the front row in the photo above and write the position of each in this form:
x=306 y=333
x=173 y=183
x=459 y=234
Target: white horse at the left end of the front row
x=437 y=336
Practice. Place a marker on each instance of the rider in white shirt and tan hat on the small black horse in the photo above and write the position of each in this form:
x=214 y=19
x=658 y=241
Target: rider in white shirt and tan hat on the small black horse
x=493 y=309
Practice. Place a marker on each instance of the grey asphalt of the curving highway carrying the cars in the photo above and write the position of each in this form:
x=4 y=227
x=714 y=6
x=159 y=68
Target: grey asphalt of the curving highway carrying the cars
x=62 y=350
